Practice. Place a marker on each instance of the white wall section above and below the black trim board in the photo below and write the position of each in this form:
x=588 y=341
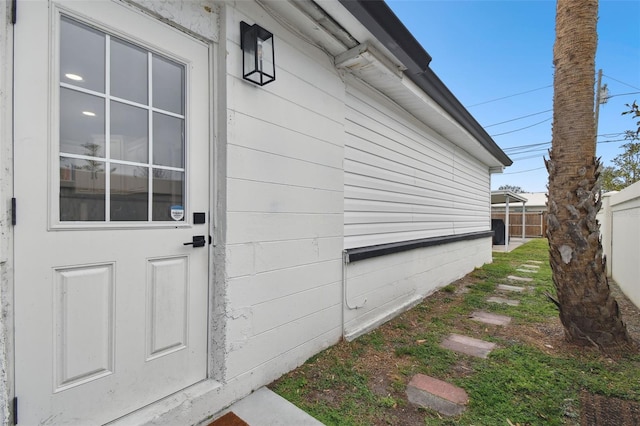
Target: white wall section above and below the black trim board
x=402 y=183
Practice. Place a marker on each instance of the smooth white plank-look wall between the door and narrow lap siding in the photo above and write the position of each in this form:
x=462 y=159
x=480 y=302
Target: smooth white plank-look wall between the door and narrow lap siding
x=284 y=196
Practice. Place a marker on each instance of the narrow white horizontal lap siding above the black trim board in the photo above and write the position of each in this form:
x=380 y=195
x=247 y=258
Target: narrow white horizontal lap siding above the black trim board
x=403 y=182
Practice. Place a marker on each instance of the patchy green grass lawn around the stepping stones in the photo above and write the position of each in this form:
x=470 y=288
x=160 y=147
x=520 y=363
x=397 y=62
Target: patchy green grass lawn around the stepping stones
x=533 y=378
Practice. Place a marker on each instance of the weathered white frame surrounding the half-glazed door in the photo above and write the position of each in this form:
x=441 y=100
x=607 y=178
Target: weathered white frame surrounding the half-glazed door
x=216 y=354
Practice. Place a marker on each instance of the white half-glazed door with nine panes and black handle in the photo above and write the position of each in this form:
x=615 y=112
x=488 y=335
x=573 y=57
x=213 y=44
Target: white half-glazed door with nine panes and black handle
x=111 y=180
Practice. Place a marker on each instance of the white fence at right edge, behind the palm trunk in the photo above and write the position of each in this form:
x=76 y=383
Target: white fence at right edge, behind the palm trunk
x=620 y=228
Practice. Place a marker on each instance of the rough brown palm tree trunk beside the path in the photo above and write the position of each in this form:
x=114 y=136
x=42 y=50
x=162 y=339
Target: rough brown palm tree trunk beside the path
x=588 y=312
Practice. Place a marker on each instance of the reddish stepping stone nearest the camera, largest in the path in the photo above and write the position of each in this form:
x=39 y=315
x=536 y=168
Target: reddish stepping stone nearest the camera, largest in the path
x=429 y=392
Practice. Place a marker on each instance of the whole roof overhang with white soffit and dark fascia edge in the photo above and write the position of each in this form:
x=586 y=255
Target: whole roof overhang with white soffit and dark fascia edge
x=368 y=41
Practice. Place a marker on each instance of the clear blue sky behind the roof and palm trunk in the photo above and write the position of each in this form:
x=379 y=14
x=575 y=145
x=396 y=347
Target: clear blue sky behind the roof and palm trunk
x=496 y=58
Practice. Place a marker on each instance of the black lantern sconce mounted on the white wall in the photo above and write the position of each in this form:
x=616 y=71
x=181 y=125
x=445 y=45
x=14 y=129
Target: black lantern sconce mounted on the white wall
x=258 y=59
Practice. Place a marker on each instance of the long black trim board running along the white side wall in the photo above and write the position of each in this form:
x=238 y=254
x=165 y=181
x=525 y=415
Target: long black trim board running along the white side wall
x=361 y=253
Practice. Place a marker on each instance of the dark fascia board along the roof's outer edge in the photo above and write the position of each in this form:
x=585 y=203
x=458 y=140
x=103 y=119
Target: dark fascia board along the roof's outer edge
x=380 y=21
